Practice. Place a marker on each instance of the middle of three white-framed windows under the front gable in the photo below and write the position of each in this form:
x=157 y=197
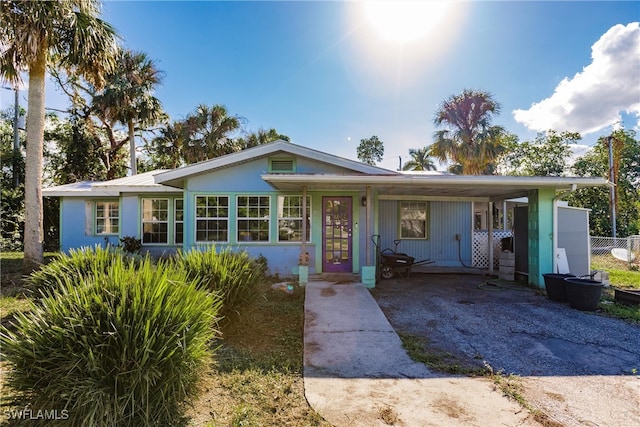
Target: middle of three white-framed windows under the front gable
x=253 y=216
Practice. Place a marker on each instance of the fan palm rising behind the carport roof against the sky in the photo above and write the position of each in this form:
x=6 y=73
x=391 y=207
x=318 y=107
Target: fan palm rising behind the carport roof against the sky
x=470 y=141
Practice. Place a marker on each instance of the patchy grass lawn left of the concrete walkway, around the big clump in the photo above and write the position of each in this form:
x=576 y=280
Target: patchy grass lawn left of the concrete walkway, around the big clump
x=255 y=378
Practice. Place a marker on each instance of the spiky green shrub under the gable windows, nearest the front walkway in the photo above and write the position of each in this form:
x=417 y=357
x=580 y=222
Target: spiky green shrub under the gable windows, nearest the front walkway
x=234 y=275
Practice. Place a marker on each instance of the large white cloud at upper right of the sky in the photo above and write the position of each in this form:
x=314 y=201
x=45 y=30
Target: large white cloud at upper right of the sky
x=596 y=97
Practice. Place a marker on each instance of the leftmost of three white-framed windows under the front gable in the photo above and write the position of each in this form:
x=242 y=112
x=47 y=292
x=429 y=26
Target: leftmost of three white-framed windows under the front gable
x=212 y=218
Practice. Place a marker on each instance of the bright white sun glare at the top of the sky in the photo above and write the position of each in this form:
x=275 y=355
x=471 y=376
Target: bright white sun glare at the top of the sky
x=405 y=21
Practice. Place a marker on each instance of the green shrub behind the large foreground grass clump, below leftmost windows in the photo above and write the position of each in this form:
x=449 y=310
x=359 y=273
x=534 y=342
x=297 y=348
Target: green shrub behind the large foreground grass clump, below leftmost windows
x=76 y=266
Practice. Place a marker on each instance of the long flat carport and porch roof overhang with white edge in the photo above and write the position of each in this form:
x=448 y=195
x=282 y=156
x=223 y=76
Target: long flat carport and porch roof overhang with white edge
x=462 y=187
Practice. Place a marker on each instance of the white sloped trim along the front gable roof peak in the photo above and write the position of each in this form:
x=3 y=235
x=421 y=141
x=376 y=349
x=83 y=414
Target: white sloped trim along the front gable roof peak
x=173 y=177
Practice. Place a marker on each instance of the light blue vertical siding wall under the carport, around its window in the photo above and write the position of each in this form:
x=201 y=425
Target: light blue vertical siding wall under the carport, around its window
x=446 y=219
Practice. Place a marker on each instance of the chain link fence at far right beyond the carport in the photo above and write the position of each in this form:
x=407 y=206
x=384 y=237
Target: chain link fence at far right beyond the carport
x=615 y=252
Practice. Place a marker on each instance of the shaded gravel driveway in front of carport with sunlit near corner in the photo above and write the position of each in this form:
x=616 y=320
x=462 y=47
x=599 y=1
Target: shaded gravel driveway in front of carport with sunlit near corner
x=578 y=367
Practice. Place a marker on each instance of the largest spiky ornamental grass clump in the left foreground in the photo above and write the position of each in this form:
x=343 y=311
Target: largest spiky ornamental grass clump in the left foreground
x=126 y=347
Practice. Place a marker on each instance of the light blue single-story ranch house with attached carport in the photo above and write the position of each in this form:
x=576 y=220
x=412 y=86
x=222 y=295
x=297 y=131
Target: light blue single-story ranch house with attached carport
x=298 y=206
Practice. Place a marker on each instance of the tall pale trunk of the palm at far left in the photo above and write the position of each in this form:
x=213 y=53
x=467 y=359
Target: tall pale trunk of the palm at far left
x=33 y=221
